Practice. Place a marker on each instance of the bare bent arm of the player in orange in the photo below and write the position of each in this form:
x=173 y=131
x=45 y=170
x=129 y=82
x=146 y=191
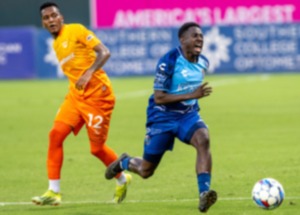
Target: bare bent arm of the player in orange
x=103 y=55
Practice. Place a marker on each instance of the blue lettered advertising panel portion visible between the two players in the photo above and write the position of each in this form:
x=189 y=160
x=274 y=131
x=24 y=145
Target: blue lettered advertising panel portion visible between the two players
x=136 y=51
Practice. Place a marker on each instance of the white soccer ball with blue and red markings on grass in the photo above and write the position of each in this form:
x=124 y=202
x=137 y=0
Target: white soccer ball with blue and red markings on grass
x=268 y=193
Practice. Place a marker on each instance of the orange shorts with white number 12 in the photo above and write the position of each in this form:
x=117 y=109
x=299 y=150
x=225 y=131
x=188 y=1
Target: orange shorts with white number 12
x=94 y=113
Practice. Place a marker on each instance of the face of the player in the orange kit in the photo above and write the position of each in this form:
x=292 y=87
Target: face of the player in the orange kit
x=52 y=20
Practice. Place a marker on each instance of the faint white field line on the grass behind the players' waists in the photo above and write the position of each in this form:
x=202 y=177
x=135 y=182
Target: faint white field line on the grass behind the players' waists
x=226 y=82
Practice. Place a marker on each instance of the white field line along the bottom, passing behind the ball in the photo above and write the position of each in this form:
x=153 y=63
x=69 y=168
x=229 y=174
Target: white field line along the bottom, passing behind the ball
x=145 y=201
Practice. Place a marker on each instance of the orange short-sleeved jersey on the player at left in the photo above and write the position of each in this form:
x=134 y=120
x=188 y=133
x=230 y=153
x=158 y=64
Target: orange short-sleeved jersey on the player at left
x=74 y=50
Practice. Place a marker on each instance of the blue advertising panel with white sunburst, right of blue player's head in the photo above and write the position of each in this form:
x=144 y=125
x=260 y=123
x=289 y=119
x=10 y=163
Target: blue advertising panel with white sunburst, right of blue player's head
x=253 y=48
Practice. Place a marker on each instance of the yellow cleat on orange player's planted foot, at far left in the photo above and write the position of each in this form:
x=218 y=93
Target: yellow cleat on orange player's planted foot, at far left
x=48 y=198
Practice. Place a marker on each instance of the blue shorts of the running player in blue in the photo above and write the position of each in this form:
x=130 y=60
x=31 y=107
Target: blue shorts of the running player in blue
x=160 y=136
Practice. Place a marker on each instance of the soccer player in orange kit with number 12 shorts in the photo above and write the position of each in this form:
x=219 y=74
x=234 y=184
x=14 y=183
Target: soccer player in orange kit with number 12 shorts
x=90 y=100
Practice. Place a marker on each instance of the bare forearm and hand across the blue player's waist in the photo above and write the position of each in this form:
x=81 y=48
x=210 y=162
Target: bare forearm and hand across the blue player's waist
x=161 y=97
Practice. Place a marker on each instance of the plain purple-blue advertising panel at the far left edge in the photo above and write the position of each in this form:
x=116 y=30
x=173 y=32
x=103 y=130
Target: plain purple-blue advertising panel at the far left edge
x=17 y=53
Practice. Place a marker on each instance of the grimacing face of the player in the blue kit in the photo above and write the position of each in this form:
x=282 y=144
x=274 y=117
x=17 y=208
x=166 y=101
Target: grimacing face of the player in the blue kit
x=192 y=41
